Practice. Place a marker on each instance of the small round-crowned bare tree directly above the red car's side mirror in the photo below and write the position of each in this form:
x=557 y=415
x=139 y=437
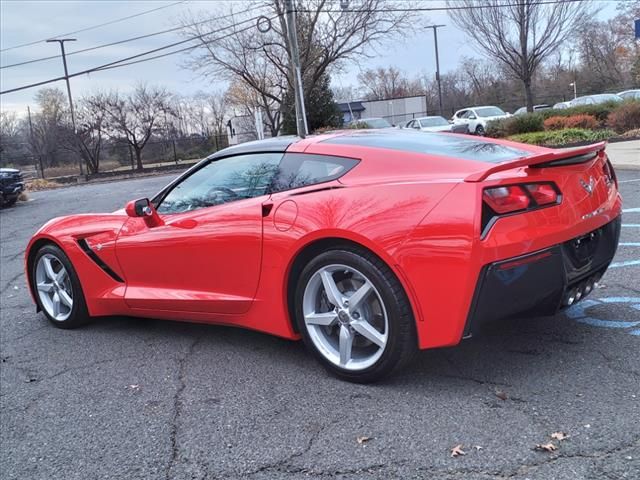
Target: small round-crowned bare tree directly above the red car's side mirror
x=136 y=116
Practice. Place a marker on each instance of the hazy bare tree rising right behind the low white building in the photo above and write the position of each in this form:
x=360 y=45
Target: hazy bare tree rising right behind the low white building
x=382 y=83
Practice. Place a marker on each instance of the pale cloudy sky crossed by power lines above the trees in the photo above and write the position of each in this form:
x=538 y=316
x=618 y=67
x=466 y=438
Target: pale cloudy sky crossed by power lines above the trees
x=23 y=21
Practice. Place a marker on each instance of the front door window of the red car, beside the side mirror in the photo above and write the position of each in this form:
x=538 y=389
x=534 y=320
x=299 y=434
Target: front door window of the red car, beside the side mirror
x=222 y=181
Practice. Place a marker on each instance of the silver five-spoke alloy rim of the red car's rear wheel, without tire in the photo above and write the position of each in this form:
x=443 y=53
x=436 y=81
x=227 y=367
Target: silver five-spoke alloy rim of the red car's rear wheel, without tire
x=345 y=317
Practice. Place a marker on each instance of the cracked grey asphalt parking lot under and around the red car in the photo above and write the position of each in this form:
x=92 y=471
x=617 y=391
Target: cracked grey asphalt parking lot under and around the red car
x=128 y=398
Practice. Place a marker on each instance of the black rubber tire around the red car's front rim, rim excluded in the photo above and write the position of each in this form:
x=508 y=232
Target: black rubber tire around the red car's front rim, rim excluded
x=79 y=313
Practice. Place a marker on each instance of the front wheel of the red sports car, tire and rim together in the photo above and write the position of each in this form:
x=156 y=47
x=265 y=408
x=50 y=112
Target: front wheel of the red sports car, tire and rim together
x=57 y=288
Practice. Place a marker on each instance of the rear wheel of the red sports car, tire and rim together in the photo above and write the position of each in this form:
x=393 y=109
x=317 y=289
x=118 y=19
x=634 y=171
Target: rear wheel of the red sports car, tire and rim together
x=354 y=315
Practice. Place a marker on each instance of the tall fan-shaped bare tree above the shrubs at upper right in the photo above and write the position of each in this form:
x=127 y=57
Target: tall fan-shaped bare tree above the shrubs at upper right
x=520 y=35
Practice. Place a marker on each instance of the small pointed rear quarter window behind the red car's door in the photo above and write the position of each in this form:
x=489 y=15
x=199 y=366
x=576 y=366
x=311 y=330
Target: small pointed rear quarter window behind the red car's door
x=300 y=169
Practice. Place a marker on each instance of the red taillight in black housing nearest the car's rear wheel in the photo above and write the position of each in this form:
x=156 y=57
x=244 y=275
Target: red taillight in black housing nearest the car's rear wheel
x=509 y=199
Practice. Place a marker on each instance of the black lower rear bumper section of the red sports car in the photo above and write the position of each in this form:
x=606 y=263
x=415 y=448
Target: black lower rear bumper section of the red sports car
x=543 y=282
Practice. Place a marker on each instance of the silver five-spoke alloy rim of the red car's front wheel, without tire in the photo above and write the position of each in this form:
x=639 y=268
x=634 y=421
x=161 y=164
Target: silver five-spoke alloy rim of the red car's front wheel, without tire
x=54 y=287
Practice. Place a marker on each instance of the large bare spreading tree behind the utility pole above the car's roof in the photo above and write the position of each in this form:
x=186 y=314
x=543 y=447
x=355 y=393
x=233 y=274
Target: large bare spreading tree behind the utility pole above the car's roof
x=327 y=35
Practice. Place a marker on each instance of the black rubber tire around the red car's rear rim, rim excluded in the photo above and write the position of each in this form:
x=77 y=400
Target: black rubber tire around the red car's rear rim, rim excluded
x=402 y=340
